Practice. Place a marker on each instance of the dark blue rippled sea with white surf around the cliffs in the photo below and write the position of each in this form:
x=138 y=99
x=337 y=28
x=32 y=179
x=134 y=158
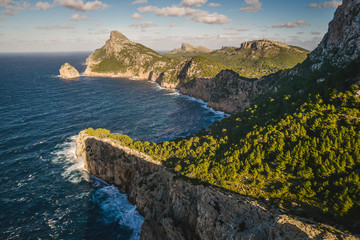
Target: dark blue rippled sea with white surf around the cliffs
x=44 y=191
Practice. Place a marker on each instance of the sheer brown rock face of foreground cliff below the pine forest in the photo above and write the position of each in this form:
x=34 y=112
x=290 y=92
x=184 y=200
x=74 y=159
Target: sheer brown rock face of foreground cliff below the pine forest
x=175 y=207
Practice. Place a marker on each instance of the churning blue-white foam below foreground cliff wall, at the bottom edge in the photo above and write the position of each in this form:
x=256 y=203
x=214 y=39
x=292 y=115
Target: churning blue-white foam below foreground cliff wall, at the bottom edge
x=116 y=208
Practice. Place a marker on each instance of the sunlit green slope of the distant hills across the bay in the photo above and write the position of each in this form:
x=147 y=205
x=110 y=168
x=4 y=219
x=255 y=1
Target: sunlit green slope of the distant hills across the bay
x=252 y=63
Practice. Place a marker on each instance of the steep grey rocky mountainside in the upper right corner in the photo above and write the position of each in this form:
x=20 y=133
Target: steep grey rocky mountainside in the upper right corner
x=341 y=44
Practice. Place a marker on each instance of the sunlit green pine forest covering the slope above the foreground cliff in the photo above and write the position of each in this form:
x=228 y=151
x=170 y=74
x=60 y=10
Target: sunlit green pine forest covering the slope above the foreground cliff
x=300 y=144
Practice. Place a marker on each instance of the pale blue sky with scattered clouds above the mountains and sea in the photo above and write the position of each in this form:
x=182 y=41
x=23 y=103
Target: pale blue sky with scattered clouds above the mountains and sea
x=81 y=25
